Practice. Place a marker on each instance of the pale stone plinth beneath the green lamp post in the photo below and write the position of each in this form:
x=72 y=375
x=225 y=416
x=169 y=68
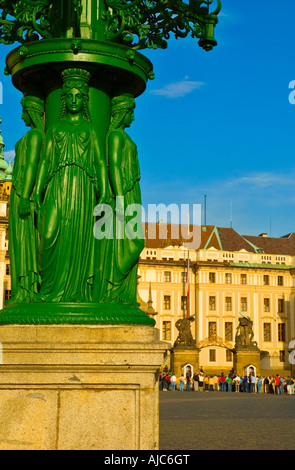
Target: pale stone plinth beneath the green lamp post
x=67 y=387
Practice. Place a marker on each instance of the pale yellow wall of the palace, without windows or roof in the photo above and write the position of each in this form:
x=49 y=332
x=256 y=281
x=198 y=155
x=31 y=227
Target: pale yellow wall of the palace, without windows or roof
x=255 y=291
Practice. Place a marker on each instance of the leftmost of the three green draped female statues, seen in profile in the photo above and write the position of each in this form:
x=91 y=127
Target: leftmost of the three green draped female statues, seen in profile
x=23 y=236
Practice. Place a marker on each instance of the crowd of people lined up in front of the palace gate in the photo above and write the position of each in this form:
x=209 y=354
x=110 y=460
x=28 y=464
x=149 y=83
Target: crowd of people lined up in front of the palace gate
x=232 y=382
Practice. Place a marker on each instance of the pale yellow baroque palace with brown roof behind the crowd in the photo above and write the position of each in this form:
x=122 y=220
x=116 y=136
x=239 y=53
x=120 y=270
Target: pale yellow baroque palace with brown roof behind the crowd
x=229 y=275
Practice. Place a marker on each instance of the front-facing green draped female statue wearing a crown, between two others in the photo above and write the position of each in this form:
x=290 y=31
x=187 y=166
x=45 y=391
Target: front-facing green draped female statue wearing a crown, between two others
x=72 y=180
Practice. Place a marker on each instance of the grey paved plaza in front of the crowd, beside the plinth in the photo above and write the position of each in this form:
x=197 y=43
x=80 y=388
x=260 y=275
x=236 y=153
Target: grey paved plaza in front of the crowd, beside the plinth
x=226 y=421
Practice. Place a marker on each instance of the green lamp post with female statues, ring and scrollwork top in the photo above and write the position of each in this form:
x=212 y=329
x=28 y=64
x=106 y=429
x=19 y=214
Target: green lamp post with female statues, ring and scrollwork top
x=76 y=169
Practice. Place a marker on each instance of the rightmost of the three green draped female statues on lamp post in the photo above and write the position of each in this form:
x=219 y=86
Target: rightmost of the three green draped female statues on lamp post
x=116 y=279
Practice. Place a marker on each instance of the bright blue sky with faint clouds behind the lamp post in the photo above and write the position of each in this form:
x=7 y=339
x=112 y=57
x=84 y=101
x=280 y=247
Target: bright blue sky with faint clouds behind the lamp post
x=218 y=124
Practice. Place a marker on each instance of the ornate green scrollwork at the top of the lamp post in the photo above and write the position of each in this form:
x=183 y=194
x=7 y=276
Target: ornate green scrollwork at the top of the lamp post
x=138 y=24
